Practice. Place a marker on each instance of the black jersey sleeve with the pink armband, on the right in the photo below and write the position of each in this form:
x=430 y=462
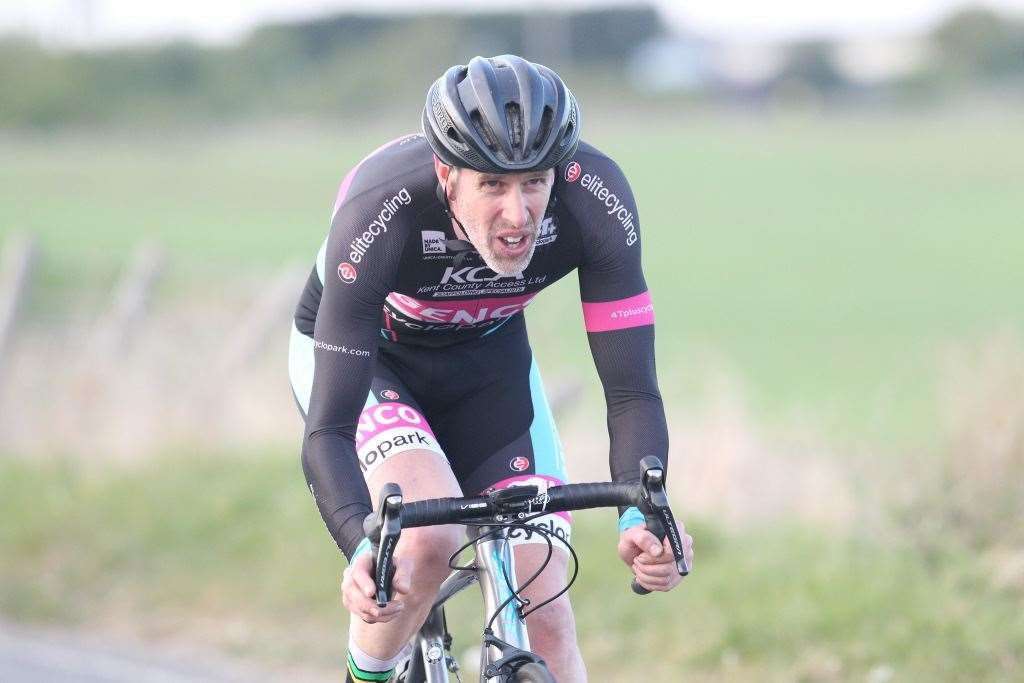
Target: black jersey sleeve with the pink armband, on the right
x=619 y=314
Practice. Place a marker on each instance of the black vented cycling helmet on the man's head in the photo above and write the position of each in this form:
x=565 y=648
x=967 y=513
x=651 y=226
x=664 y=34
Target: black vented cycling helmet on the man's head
x=501 y=115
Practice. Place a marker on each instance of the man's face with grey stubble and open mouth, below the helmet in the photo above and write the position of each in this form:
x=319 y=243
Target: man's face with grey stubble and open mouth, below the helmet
x=501 y=214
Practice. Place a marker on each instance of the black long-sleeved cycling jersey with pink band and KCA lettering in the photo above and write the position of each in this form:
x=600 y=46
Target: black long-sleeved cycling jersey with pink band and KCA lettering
x=390 y=275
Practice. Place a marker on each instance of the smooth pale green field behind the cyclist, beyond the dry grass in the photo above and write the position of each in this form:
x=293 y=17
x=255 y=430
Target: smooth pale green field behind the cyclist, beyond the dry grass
x=824 y=263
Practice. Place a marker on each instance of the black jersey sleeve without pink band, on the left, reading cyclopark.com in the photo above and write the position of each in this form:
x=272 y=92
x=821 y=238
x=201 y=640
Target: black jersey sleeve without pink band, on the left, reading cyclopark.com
x=358 y=269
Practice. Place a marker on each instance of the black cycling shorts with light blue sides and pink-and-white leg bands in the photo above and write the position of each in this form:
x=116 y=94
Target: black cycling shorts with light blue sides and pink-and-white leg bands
x=480 y=404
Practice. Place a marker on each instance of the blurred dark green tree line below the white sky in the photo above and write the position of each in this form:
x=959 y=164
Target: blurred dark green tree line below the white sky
x=353 y=66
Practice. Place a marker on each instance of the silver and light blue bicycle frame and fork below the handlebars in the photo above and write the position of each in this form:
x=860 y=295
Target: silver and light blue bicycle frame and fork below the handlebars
x=494 y=561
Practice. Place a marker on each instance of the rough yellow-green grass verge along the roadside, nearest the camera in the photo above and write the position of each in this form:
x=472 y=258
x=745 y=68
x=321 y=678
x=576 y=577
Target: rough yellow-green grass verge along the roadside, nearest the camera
x=230 y=551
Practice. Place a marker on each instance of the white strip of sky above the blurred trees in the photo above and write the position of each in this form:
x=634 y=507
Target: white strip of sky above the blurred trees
x=112 y=22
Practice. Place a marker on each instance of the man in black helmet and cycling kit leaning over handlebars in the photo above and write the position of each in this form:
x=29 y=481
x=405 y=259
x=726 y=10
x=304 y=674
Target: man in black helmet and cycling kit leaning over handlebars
x=410 y=360
